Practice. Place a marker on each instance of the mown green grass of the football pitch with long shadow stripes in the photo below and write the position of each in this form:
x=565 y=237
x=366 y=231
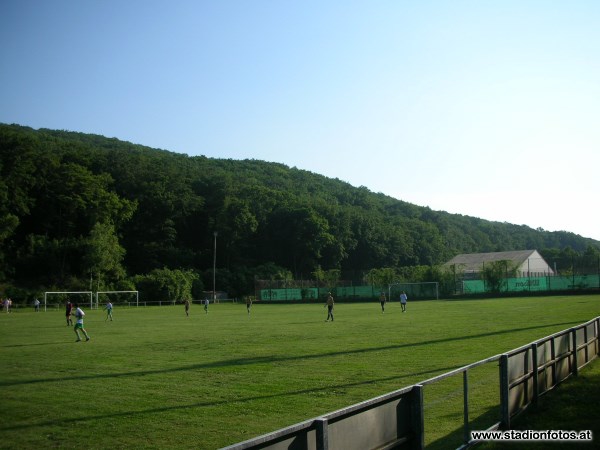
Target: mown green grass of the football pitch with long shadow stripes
x=155 y=378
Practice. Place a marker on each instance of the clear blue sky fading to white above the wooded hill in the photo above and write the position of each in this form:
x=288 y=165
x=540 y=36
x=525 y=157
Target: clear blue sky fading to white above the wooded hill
x=488 y=109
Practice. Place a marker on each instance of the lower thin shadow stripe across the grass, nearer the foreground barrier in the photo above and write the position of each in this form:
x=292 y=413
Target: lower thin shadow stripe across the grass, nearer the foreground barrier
x=328 y=388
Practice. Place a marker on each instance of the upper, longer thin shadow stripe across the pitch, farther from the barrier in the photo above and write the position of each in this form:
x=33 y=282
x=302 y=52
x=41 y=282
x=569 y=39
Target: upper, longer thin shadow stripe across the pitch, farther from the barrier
x=271 y=359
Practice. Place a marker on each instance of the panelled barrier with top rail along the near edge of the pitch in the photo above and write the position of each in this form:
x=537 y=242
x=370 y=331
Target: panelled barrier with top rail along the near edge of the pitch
x=397 y=420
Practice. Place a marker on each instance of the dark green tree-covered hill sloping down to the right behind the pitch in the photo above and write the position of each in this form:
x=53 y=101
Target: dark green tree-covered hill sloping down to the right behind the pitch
x=74 y=204
